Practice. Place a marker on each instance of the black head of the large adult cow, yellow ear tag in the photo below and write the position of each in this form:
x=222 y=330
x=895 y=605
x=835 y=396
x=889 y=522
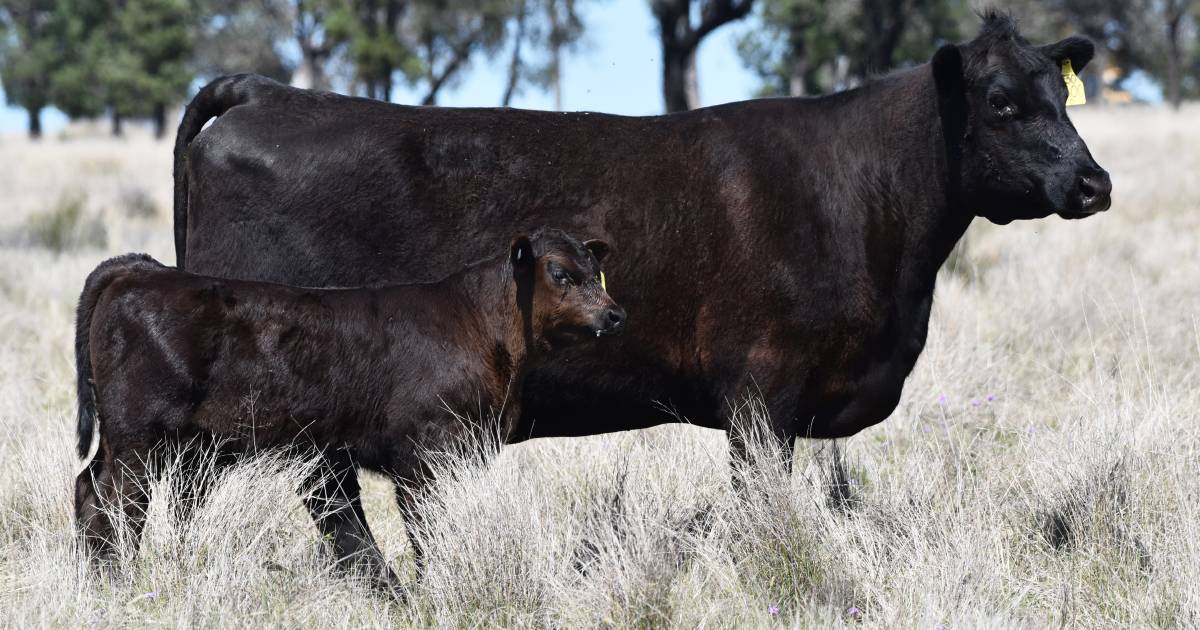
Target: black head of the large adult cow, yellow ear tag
x=1013 y=148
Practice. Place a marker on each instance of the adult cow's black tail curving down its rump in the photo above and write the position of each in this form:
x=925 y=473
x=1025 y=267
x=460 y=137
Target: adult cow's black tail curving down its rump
x=212 y=101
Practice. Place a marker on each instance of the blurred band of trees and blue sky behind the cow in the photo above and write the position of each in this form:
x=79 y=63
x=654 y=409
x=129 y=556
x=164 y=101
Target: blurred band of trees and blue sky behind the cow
x=121 y=63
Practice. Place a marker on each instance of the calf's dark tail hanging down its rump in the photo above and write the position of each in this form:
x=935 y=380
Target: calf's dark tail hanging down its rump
x=93 y=289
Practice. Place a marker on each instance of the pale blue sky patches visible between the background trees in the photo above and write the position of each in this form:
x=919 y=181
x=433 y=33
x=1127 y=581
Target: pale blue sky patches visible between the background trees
x=616 y=70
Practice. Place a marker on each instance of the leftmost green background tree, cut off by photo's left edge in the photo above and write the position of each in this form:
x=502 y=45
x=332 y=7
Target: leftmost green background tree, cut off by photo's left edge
x=29 y=56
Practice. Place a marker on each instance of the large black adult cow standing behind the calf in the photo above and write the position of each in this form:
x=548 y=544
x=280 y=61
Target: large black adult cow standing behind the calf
x=782 y=248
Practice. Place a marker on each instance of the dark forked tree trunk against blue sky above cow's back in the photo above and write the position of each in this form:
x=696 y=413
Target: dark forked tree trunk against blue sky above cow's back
x=681 y=39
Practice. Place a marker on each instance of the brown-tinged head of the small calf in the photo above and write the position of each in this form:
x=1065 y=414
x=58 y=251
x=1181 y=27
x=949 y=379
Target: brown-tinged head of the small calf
x=563 y=295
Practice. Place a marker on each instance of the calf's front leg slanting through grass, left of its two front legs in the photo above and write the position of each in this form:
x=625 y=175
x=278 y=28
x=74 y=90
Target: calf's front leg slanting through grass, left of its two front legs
x=337 y=507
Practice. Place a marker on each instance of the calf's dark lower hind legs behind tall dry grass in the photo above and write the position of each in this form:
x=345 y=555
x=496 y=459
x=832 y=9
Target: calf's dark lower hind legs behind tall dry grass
x=112 y=495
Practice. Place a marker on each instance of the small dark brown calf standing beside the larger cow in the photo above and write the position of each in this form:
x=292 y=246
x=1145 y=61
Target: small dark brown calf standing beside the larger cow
x=375 y=377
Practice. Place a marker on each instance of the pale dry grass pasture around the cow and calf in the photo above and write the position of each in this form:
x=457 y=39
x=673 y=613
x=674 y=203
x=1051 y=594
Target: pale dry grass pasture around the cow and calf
x=1042 y=471
